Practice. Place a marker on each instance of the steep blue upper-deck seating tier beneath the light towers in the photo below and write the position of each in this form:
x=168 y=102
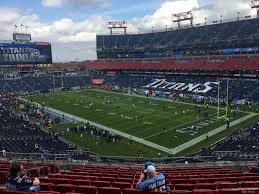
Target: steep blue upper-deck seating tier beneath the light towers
x=237 y=34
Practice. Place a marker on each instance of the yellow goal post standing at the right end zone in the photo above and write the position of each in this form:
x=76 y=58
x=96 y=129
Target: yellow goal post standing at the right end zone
x=226 y=113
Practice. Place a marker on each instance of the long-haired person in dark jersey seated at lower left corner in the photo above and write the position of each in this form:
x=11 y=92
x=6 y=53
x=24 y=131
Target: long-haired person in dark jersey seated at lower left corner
x=17 y=181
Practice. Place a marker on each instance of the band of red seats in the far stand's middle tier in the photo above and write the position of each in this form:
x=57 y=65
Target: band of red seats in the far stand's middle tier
x=201 y=64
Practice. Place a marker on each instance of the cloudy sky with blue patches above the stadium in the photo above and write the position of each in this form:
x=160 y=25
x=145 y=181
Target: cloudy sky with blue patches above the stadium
x=71 y=25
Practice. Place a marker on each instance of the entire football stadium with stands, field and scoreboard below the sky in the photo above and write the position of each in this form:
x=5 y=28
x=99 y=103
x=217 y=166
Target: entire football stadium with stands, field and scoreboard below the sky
x=164 y=111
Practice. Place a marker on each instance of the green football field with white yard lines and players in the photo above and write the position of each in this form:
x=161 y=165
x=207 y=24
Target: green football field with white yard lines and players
x=161 y=122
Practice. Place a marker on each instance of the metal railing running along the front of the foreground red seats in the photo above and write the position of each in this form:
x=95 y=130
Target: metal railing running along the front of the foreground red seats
x=82 y=158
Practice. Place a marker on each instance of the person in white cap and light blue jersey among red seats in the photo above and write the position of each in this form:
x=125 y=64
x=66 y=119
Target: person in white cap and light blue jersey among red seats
x=154 y=182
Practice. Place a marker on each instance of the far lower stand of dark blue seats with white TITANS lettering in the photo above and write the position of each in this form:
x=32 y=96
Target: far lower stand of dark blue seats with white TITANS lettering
x=238 y=88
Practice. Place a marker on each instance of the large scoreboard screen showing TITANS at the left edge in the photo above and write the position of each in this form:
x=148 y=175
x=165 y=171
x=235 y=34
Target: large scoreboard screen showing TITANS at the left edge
x=25 y=53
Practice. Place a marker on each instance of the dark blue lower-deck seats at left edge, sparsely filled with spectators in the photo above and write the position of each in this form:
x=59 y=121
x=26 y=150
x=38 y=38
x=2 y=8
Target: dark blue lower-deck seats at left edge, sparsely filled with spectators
x=19 y=135
